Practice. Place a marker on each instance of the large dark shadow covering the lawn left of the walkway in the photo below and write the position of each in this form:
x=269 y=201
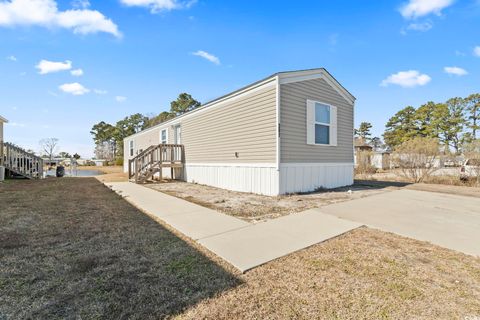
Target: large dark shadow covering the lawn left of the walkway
x=71 y=248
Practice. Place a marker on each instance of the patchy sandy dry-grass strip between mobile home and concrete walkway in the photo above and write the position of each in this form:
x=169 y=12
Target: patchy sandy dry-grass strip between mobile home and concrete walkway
x=254 y=207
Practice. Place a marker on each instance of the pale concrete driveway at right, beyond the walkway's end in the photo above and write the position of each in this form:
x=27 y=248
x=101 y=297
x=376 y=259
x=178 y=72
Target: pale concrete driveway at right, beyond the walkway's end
x=450 y=221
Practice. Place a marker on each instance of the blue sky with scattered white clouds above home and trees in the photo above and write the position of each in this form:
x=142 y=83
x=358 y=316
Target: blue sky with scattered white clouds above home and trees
x=138 y=55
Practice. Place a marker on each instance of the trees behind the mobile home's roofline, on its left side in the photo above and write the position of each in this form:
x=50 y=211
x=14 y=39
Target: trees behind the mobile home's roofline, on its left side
x=108 y=138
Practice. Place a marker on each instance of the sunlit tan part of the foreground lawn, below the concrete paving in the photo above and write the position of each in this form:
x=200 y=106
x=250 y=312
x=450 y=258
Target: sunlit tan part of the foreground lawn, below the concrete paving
x=365 y=274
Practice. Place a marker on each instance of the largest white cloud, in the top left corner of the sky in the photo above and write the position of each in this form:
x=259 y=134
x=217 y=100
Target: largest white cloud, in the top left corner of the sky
x=45 y=13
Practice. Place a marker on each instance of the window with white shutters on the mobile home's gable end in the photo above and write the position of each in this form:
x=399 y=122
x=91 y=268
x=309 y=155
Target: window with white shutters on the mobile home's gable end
x=321 y=123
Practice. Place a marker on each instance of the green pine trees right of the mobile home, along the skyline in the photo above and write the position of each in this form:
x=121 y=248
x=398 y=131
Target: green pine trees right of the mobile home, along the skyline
x=454 y=124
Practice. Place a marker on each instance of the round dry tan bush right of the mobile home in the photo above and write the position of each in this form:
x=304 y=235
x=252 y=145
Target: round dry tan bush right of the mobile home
x=416 y=158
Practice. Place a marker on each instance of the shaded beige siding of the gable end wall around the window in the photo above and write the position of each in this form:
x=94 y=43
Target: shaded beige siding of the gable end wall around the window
x=293 y=131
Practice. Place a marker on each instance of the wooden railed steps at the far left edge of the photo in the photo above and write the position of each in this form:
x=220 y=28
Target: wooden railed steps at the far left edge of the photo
x=20 y=162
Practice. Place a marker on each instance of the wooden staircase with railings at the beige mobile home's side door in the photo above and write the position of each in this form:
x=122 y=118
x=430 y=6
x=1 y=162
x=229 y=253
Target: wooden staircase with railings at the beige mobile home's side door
x=149 y=163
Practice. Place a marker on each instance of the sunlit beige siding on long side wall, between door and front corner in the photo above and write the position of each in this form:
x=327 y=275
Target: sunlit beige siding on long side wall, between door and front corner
x=246 y=125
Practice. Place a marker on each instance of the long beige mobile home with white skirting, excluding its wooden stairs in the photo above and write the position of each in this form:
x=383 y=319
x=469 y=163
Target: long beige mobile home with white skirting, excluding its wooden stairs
x=290 y=132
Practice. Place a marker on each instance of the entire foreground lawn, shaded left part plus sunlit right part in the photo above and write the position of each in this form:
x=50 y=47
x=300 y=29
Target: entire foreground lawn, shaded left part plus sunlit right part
x=71 y=248
